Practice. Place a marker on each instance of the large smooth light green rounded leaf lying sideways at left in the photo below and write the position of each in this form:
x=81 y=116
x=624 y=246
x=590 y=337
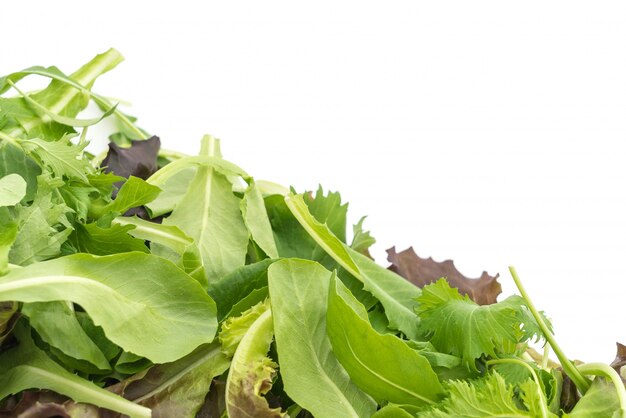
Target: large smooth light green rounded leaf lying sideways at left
x=145 y=304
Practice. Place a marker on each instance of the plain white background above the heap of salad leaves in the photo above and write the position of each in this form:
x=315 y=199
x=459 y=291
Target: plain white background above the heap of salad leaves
x=486 y=132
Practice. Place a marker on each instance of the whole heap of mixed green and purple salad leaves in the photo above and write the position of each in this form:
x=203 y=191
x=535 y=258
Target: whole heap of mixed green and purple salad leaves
x=142 y=282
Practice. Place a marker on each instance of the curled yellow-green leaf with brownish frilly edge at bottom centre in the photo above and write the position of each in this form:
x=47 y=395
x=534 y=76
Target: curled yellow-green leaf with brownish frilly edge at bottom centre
x=251 y=373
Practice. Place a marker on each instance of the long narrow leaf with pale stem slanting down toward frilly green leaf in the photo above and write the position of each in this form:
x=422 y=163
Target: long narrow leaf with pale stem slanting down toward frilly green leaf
x=396 y=294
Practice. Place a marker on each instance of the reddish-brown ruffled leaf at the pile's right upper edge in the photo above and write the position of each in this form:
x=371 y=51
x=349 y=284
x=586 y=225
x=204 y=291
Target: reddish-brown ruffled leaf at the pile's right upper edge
x=423 y=271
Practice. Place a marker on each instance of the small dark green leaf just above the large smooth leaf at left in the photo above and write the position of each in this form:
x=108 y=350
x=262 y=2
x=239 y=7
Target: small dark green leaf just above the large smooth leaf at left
x=92 y=239
